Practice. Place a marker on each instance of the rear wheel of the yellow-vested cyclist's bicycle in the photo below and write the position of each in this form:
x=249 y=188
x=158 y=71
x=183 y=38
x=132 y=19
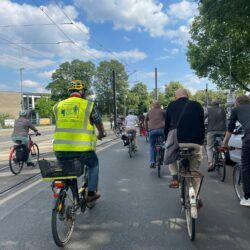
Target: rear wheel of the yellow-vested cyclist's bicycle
x=63 y=217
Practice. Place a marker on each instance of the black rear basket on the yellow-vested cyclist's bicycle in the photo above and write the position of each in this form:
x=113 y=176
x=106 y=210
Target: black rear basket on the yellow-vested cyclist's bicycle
x=55 y=169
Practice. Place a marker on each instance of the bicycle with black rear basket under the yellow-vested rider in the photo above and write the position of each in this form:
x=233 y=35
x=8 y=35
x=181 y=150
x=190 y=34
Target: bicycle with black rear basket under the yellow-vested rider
x=68 y=198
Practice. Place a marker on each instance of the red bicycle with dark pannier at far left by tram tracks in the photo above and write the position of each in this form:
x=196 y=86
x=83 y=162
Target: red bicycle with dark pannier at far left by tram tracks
x=19 y=154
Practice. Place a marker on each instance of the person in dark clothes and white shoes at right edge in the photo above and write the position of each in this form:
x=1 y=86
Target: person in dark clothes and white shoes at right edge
x=241 y=113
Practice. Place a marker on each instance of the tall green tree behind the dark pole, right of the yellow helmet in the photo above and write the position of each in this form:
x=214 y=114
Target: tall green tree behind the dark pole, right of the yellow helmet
x=103 y=85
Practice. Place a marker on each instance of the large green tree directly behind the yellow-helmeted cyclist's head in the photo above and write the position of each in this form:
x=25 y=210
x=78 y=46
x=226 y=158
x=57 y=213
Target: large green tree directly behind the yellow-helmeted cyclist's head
x=68 y=71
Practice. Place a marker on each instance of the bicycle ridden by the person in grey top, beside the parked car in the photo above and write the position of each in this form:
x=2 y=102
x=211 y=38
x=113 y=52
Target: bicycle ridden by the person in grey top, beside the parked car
x=218 y=161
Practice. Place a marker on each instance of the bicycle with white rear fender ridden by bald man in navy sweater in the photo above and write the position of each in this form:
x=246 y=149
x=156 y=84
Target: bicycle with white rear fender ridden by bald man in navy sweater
x=189 y=198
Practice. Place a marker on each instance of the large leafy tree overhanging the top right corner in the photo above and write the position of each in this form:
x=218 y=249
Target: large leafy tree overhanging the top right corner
x=221 y=32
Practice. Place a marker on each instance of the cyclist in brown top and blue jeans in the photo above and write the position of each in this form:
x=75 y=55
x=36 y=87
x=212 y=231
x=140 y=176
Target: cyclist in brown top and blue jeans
x=155 y=123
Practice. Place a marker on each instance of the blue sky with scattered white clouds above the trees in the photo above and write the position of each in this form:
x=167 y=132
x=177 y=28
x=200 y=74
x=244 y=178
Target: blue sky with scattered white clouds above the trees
x=143 y=34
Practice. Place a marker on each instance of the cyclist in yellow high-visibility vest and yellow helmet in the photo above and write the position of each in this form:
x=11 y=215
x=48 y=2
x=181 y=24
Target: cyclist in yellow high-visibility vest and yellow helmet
x=74 y=135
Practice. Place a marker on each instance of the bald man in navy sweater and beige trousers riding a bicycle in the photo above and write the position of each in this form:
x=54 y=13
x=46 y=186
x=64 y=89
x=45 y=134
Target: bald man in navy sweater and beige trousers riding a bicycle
x=190 y=131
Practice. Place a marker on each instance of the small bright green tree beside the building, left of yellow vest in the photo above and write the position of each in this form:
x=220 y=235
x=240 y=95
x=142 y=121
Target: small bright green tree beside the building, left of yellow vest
x=44 y=107
